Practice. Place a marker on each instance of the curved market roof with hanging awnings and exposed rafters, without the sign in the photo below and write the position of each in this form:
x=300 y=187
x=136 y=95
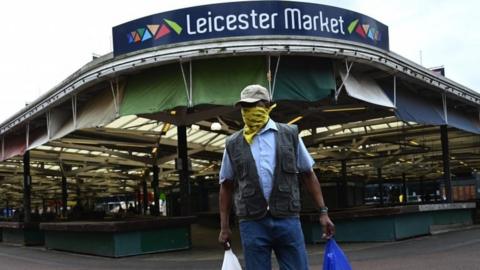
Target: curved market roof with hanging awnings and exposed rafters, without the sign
x=352 y=101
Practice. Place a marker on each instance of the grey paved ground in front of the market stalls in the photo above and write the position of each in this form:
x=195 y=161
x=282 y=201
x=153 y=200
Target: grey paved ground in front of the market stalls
x=458 y=249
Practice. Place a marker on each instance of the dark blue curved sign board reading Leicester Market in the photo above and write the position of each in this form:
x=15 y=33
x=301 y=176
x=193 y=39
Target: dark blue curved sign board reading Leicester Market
x=254 y=18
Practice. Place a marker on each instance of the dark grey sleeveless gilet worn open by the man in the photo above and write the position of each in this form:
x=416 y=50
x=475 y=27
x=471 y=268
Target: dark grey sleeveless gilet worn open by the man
x=249 y=200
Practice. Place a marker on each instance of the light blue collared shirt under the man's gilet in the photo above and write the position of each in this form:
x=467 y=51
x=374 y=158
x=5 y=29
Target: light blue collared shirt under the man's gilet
x=263 y=150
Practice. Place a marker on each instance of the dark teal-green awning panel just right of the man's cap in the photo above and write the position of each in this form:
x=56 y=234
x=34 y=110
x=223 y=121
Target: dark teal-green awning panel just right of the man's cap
x=303 y=78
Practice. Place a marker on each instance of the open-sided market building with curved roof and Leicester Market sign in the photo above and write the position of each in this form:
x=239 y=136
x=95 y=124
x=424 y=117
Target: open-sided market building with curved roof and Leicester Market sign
x=142 y=130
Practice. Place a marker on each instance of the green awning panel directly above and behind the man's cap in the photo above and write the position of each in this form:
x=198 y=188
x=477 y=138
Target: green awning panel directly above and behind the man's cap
x=219 y=81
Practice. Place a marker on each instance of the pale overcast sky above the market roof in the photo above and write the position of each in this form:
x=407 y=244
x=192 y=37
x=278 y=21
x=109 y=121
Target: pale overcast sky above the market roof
x=42 y=42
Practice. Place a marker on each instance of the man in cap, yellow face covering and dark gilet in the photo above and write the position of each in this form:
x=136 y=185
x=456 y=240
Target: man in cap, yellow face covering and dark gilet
x=259 y=172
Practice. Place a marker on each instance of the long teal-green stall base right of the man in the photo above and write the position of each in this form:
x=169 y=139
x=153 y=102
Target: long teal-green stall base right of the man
x=388 y=224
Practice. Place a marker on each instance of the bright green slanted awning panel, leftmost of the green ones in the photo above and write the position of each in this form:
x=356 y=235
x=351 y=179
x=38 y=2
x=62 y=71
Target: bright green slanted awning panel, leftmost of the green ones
x=154 y=90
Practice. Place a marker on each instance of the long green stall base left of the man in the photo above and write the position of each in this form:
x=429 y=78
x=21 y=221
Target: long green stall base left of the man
x=119 y=242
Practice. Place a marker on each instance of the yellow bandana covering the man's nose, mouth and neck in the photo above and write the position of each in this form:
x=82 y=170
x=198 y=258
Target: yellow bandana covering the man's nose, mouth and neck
x=255 y=118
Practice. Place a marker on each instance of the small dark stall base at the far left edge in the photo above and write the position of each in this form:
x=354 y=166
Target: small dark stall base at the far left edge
x=21 y=234
